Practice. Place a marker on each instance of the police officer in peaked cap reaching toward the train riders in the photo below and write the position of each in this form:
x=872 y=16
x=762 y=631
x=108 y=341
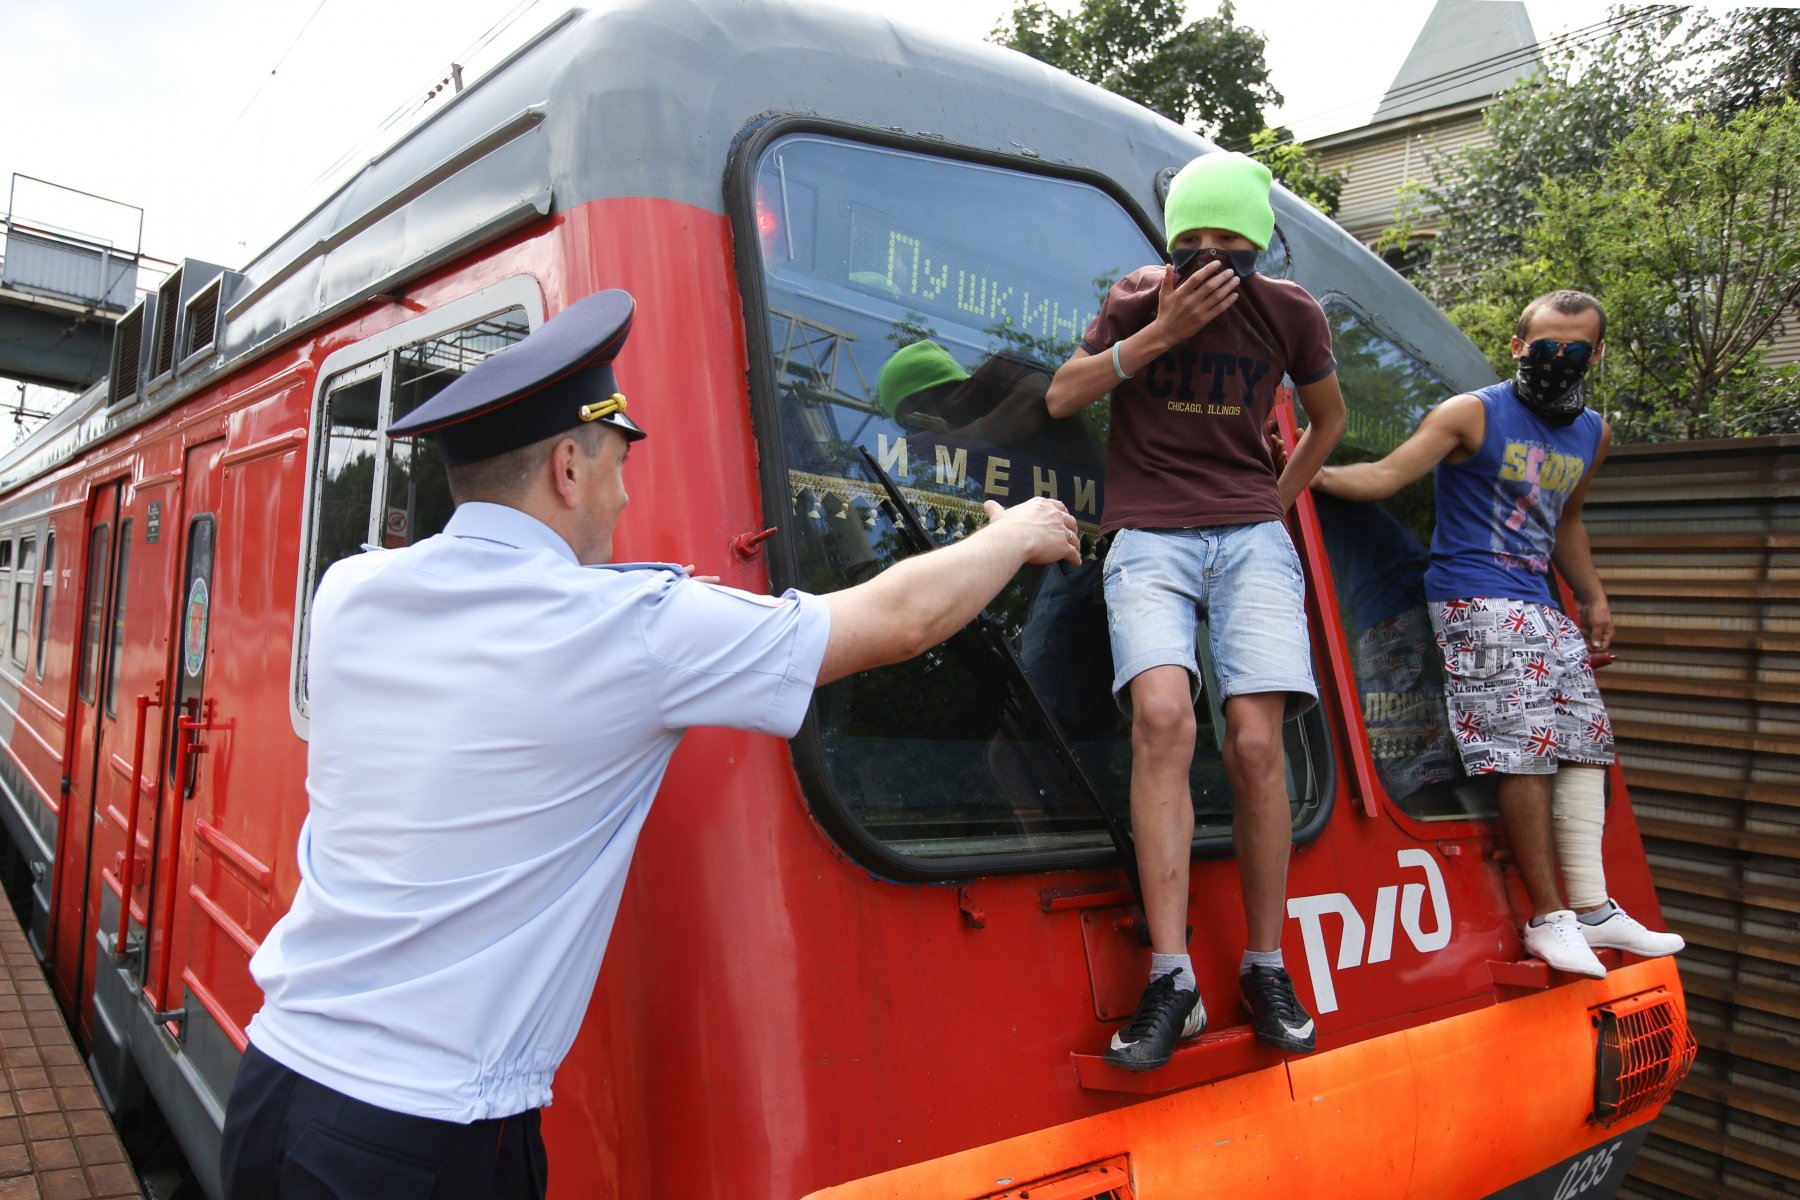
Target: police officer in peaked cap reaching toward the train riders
x=492 y=713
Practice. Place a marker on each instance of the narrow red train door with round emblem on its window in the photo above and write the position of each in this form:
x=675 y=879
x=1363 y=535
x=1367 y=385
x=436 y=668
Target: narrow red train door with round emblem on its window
x=190 y=766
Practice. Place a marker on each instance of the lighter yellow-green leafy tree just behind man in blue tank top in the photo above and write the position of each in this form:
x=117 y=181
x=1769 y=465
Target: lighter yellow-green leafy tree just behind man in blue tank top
x=1691 y=235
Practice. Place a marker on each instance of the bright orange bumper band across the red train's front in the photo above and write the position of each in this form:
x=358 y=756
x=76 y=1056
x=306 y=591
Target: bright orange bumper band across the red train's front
x=1459 y=1107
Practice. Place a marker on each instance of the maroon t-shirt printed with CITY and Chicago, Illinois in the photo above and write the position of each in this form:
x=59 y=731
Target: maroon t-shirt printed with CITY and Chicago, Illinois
x=1187 y=445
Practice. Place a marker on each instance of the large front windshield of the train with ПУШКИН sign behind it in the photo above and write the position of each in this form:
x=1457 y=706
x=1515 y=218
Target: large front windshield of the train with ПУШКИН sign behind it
x=931 y=764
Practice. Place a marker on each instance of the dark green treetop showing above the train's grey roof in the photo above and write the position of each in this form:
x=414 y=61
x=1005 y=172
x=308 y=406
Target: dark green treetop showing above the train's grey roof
x=1209 y=73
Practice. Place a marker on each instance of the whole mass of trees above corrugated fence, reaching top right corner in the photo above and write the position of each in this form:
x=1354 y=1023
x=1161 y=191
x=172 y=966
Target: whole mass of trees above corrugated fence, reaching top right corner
x=1659 y=172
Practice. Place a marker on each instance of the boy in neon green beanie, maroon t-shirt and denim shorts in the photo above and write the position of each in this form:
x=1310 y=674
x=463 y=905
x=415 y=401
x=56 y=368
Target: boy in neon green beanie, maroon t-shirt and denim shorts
x=1194 y=506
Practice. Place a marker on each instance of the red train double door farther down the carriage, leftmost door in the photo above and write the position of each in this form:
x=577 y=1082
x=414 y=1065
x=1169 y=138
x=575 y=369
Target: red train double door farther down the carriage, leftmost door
x=91 y=748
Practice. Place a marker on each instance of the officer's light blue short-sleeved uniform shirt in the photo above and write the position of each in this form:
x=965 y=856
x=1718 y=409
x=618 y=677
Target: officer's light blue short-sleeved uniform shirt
x=490 y=722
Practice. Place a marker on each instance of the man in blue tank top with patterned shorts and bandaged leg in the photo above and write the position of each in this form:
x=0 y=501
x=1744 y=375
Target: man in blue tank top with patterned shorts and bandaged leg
x=1513 y=465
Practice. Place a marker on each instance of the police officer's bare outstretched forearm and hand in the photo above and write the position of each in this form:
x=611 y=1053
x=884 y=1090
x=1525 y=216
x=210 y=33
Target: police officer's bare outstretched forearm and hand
x=921 y=602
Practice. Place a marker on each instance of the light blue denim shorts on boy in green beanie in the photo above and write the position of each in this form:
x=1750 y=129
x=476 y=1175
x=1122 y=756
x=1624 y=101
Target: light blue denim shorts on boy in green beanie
x=1241 y=580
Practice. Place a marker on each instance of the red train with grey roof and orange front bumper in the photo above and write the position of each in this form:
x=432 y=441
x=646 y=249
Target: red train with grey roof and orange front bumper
x=904 y=936
